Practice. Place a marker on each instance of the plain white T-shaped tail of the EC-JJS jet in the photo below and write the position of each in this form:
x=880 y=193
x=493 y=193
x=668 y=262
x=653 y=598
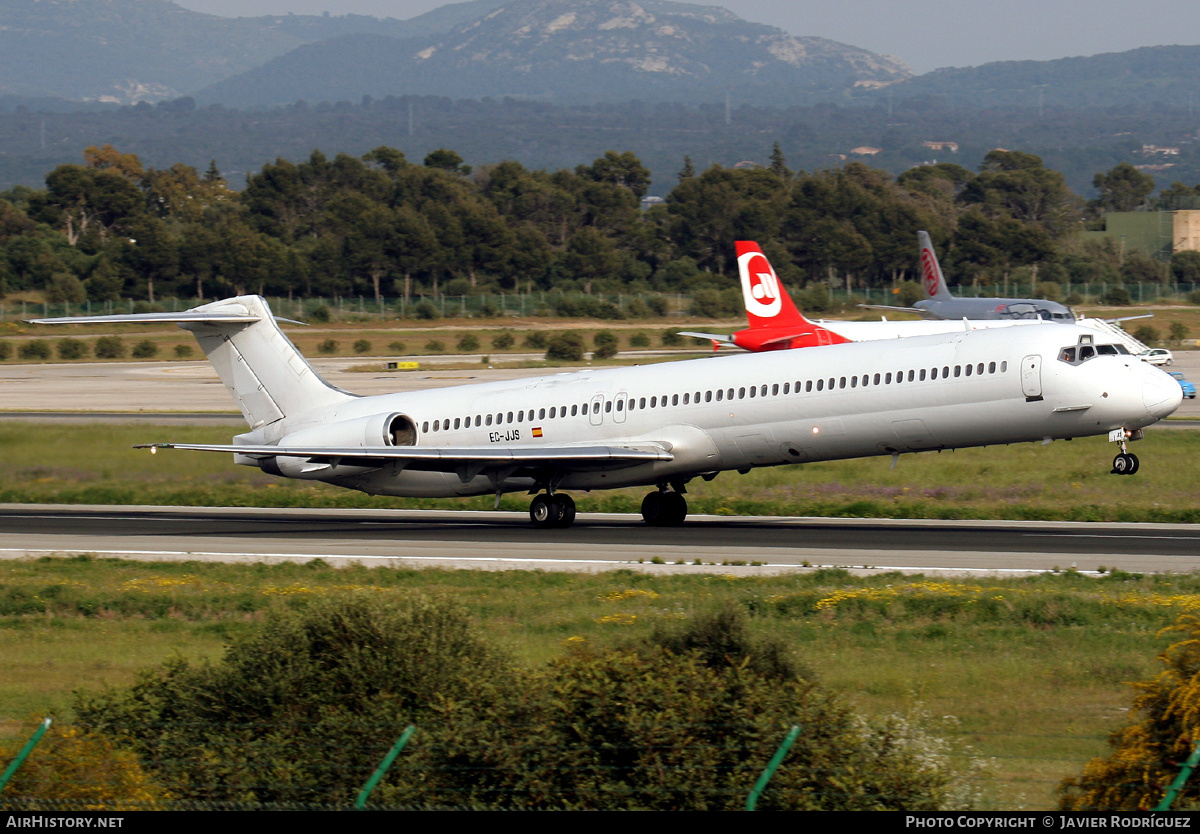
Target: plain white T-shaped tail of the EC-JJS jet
x=262 y=369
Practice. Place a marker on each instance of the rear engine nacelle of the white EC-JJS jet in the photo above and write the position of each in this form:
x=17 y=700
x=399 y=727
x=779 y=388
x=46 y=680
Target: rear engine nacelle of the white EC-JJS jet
x=376 y=430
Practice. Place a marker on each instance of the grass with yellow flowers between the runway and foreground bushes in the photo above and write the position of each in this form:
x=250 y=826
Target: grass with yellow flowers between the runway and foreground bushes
x=1030 y=675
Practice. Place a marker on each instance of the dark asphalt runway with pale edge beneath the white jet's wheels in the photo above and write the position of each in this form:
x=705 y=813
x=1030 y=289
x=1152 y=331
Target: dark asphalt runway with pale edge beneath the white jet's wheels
x=597 y=542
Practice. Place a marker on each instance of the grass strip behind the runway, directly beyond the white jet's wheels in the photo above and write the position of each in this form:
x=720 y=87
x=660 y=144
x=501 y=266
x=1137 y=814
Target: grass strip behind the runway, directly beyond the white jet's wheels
x=1063 y=482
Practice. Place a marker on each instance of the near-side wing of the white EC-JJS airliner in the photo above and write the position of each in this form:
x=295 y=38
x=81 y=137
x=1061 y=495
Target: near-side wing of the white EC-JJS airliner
x=449 y=459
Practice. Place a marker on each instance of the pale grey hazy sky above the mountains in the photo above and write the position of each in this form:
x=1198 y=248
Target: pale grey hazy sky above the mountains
x=926 y=34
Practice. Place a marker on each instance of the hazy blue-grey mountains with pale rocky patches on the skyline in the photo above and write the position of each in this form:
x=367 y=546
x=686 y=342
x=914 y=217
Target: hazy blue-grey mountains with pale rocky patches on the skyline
x=559 y=51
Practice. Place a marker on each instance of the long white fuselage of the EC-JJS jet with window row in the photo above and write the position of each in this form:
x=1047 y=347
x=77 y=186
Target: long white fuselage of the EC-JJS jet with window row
x=844 y=401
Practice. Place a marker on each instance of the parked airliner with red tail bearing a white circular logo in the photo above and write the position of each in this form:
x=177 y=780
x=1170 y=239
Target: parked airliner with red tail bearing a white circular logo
x=778 y=325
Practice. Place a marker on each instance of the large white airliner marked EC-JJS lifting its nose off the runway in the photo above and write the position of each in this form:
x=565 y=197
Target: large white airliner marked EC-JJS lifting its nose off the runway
x=664 y=425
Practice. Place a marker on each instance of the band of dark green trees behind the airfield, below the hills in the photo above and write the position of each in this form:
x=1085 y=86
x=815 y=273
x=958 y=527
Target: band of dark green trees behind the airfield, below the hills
x=381 y=225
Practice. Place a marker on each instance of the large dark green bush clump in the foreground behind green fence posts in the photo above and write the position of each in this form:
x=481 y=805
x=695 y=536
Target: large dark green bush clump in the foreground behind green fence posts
x=685 y=721
